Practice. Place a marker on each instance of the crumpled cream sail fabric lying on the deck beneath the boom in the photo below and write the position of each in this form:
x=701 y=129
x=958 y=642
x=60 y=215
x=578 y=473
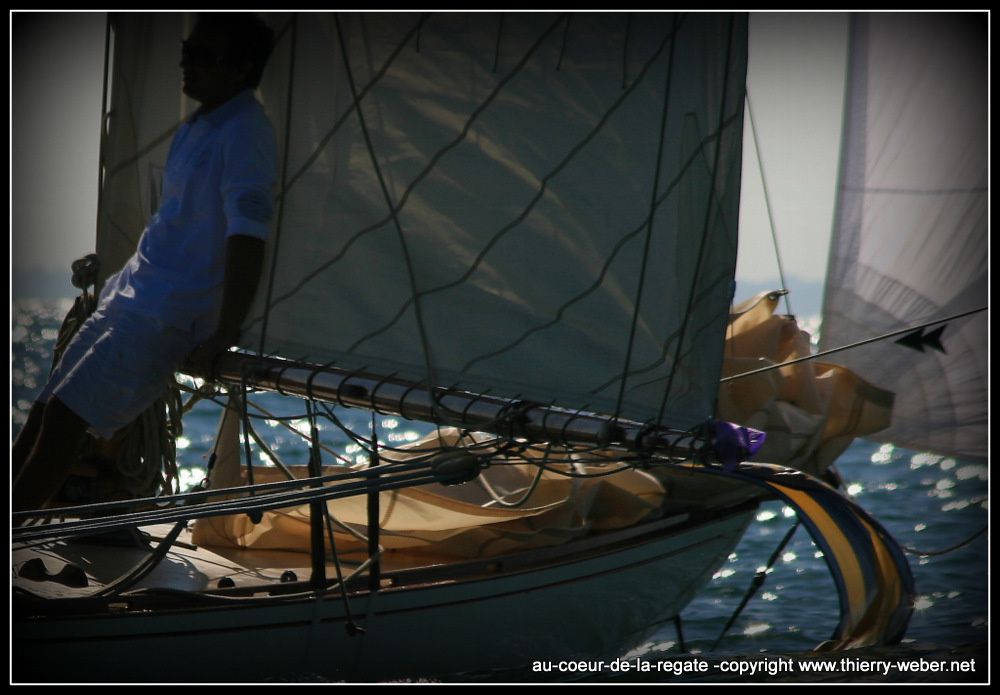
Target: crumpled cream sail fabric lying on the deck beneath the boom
x=445 y=522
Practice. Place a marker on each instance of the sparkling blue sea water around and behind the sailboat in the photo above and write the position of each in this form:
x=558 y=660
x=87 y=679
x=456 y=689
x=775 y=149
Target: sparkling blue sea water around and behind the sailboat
x=928 y=503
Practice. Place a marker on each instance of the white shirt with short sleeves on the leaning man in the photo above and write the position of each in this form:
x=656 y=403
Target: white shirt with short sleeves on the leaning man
x=219 y=181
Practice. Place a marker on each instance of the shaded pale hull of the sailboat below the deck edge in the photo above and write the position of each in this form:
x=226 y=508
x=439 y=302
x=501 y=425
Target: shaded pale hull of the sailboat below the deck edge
x=590 y=600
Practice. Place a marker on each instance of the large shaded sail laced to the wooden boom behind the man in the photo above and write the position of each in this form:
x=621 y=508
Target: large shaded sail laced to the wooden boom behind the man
x=535 y=206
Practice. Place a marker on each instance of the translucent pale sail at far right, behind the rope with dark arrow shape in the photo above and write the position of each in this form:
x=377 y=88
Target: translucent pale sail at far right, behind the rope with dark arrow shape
x=909 y=244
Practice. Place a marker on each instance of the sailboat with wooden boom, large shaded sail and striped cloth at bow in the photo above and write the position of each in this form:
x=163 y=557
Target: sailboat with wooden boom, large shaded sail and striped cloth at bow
x=520 y=228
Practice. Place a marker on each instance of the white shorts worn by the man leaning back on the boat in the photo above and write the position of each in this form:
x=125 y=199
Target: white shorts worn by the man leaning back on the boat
x=115 y=367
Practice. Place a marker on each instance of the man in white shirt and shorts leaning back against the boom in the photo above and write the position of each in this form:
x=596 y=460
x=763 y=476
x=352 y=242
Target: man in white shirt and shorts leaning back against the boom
x=187 y=289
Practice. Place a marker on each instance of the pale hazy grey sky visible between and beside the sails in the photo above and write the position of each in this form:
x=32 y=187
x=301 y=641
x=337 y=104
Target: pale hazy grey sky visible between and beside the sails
x=795 y=82
